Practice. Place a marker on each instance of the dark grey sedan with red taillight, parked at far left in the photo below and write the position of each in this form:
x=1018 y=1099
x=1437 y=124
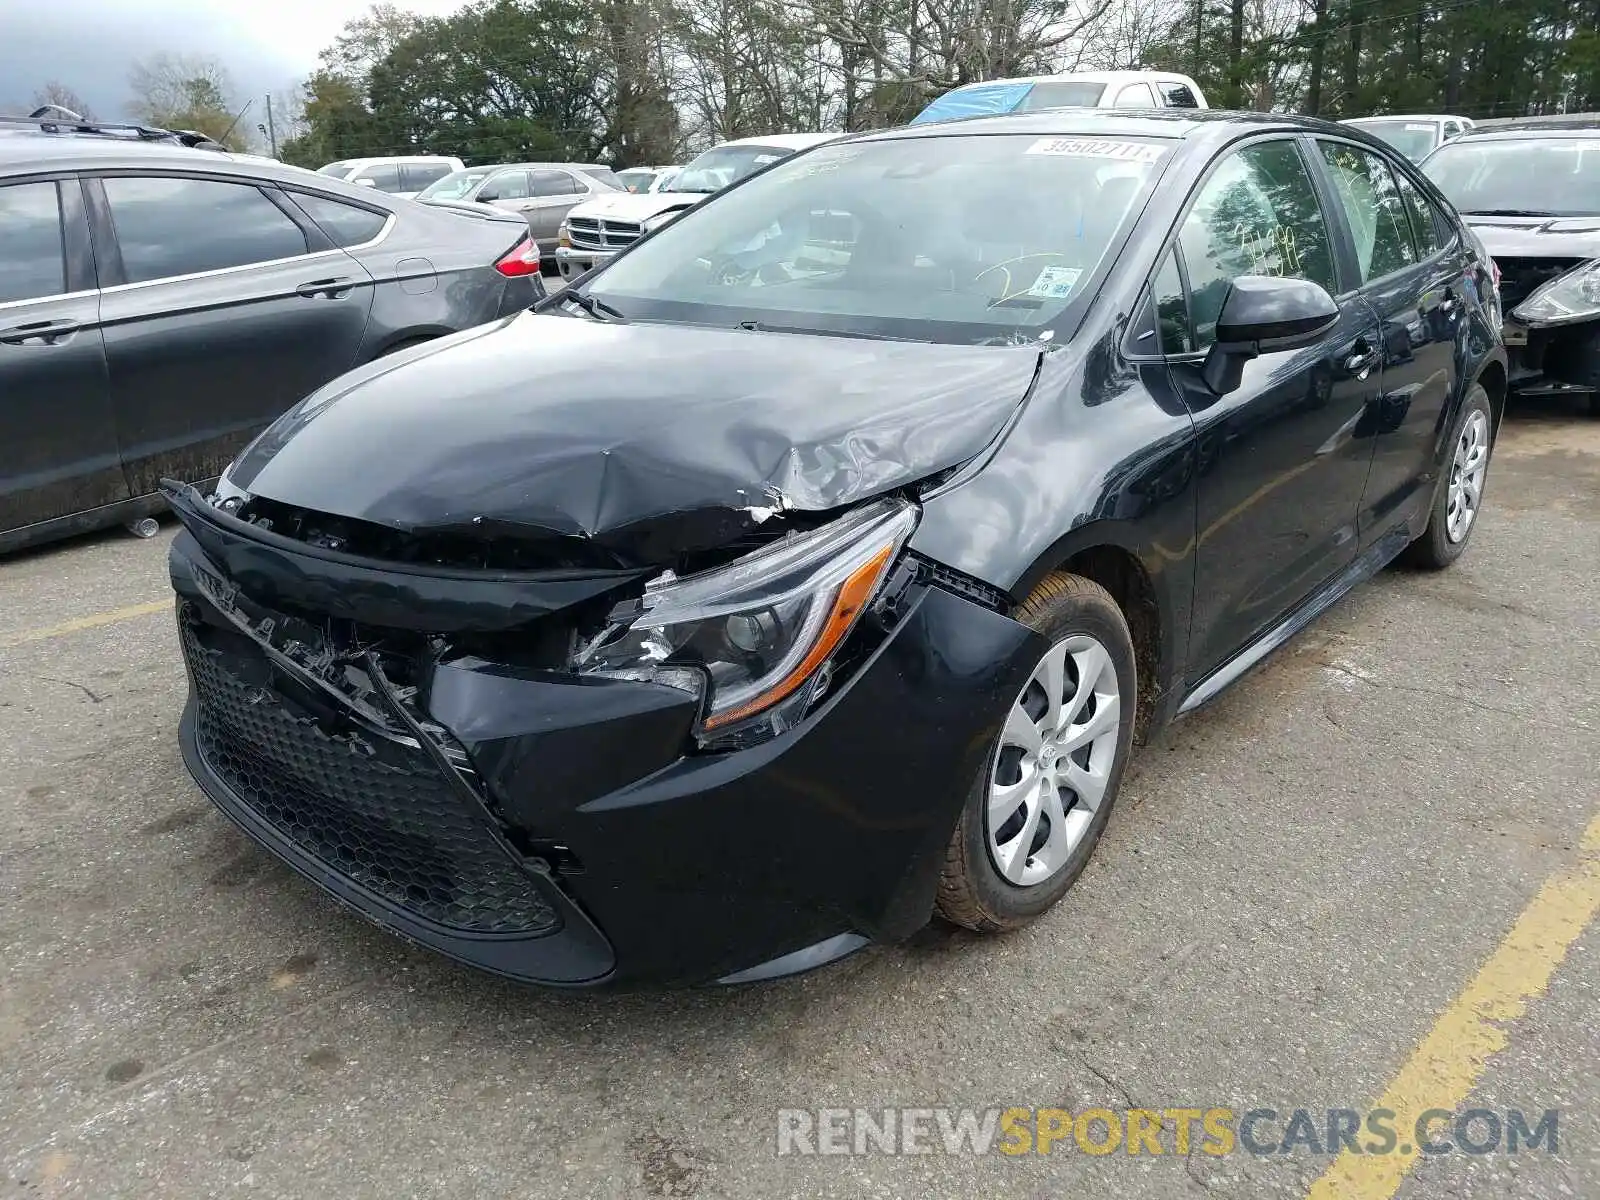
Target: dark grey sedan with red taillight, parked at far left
x=162 y=302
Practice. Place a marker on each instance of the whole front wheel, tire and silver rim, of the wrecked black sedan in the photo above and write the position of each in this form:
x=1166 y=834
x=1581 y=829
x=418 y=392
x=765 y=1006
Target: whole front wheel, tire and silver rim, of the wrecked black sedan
x=1039 y=809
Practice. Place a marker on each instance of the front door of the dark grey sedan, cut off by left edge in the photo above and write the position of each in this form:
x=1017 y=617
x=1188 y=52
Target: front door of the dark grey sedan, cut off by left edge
x=58 y=441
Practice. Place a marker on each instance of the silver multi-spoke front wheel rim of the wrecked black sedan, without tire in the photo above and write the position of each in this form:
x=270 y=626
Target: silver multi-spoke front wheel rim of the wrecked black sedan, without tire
x=1055 y=758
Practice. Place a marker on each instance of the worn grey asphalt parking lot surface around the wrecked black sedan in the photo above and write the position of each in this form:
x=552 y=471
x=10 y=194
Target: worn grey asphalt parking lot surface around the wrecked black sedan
x=1359 y=850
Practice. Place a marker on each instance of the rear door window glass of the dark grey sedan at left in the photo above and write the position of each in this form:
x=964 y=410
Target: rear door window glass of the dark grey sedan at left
x=172 y=226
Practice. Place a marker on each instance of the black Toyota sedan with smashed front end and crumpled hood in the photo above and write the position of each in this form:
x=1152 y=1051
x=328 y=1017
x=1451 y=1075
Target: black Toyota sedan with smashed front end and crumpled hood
x=814 y=567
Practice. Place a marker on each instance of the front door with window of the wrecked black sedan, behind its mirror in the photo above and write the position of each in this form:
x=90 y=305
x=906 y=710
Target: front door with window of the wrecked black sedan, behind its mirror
x=1281 y=466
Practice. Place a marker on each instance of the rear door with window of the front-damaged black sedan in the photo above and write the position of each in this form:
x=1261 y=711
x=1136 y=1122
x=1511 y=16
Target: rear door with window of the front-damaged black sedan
x=1414 y=279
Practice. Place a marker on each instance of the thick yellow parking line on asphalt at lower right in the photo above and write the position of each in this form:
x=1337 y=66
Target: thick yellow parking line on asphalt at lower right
x=1447 y=1065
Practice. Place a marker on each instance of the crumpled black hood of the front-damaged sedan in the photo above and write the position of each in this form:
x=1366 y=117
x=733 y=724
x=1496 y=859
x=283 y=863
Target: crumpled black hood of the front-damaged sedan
x=583 y=428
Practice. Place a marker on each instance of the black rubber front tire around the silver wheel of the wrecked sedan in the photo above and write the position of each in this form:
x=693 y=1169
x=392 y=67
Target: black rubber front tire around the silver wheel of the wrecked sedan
x=972 y=890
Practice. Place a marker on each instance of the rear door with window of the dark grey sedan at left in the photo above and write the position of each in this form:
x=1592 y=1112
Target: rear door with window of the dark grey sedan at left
x=223 y=308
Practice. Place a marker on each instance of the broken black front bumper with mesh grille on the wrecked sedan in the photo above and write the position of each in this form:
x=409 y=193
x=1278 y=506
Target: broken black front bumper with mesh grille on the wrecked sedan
x=564 y=830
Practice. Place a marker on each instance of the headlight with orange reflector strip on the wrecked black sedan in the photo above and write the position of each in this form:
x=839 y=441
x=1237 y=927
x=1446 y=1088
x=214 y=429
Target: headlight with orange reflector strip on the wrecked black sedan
x=756 y=636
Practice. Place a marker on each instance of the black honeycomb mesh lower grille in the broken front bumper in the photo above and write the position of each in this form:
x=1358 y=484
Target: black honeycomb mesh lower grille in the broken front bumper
x=377 y=812
